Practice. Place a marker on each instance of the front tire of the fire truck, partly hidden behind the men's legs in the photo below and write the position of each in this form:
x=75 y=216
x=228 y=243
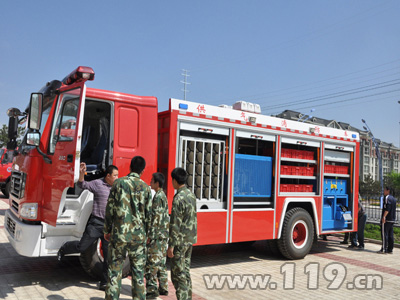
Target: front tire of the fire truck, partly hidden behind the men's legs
x=92 y=261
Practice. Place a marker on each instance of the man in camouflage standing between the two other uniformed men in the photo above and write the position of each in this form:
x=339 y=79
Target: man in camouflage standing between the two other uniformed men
x=157 y=241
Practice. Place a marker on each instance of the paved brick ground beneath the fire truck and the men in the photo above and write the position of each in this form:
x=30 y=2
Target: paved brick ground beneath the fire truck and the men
x=330 y=271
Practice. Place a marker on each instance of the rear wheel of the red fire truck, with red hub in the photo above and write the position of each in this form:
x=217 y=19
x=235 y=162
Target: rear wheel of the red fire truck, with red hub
x=297 y=234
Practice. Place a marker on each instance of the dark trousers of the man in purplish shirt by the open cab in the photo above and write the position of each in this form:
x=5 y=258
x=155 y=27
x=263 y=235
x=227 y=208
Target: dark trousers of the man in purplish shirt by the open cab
x=93 y=231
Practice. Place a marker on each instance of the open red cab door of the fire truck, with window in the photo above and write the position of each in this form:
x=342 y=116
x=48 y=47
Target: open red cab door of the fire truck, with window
x=63 y=150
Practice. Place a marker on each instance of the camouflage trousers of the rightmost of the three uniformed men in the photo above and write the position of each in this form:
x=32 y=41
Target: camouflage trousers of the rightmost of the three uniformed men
x=180 y=272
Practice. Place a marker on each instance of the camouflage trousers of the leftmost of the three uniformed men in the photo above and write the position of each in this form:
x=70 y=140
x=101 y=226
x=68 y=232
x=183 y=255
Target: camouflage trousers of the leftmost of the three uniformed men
x=117 y=253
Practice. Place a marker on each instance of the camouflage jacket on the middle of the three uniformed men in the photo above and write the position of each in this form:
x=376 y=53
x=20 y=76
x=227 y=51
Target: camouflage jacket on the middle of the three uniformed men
x=159 y=217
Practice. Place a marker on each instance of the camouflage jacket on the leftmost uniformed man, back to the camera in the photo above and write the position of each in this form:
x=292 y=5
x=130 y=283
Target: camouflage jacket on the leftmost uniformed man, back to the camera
x=128 y=211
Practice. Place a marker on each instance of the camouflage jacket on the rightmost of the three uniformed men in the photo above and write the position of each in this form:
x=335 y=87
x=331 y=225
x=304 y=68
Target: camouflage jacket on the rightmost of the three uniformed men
x=183 y=224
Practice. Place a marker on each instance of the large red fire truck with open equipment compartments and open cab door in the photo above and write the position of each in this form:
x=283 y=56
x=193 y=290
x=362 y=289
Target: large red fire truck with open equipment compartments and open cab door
x=255 y=177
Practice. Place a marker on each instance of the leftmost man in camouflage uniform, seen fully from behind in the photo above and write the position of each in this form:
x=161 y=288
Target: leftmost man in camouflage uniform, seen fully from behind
x=126 y=224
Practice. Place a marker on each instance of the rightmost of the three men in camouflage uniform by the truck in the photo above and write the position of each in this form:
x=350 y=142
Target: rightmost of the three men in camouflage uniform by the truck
x=182 y=234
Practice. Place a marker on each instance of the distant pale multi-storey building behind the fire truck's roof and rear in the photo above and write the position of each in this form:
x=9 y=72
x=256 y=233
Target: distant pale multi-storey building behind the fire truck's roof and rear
x=369 y=163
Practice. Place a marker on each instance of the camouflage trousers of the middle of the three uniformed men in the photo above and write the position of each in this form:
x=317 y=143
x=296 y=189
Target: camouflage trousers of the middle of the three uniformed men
x=156 y=267
